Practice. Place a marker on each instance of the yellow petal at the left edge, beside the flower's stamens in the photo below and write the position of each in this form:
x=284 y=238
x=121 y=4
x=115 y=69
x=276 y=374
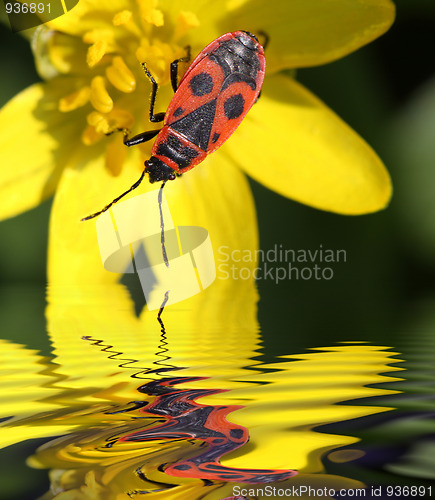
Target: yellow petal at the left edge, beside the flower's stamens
x=34 y=142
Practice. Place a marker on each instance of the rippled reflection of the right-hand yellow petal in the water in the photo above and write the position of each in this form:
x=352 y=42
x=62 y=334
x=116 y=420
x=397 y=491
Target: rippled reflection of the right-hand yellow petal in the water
x=302 y=392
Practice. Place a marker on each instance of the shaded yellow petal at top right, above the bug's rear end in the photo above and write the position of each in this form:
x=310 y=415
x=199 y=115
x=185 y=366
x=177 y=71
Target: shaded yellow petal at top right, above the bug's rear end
x=308 y=33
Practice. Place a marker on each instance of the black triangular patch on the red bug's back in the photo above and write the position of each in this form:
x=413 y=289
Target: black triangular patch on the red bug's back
x=197 y=125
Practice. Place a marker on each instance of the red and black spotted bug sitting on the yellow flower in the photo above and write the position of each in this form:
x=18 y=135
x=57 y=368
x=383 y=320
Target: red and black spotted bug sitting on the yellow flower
x=213 y=97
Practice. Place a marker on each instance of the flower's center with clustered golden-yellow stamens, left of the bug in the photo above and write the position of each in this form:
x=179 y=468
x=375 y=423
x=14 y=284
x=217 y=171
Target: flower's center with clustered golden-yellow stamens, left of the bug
x=118 y=88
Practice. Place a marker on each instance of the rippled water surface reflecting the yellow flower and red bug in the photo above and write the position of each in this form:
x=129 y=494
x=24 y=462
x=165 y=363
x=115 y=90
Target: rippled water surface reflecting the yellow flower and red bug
x=176 y=414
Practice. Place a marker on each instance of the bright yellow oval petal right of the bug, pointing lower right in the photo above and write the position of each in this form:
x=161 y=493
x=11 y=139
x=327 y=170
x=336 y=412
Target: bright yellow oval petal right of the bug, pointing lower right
x=292 y=143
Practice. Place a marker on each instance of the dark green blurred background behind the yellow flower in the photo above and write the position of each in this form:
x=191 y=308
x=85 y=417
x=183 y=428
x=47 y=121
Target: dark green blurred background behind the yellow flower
x=386 y=92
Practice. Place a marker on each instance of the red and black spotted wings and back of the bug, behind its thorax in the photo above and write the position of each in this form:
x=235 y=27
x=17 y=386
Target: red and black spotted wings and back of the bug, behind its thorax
x=217 y=91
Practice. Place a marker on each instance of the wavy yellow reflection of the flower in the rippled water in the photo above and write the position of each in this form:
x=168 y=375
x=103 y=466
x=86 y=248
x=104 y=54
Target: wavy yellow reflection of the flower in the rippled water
x=282 y=404
